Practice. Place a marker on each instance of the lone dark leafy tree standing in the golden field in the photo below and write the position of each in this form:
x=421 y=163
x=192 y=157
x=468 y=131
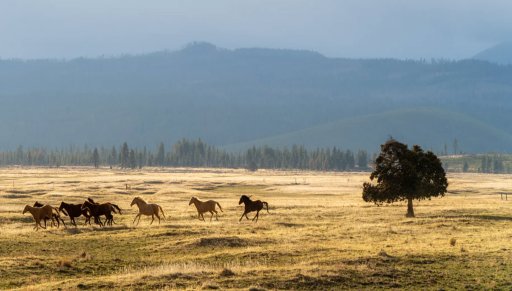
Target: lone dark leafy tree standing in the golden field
x=405 y=174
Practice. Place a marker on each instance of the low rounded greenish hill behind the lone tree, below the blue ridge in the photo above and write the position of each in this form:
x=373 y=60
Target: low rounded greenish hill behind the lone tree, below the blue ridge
x=428 y=127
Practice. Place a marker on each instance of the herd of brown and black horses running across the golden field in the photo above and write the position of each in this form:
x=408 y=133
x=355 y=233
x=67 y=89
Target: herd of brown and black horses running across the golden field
x=89 y=208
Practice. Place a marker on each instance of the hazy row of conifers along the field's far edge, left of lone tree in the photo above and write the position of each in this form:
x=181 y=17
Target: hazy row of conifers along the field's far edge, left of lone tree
x=190 y=153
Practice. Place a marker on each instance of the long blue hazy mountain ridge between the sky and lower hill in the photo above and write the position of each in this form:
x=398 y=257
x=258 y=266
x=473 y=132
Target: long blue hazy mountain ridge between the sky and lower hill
x=230 y=96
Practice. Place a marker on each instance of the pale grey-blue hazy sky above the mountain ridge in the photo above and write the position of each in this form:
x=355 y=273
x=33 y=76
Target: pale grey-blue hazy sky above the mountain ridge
x=452 y=29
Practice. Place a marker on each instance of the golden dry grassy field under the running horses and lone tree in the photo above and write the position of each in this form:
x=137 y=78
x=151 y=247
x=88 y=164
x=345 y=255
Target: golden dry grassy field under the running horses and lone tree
x=320 y=234
